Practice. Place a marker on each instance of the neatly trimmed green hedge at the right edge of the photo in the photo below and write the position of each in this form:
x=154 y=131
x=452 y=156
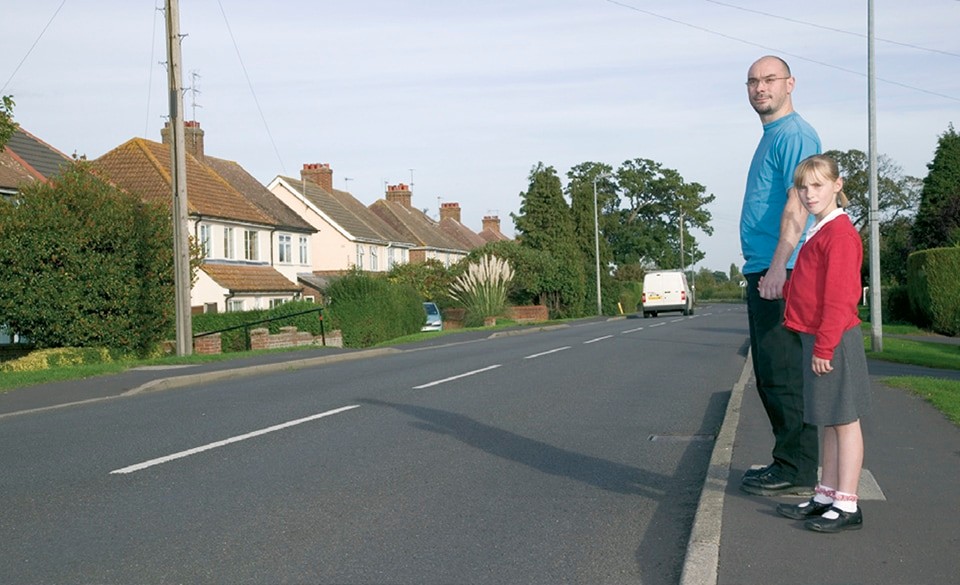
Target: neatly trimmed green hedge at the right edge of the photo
x=933 y=278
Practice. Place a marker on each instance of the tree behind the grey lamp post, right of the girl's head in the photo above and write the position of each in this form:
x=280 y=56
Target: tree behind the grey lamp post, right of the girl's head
x=897 y=195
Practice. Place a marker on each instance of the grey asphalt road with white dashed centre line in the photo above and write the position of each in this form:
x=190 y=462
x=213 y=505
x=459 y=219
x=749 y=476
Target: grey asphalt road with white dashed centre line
x=574 y=455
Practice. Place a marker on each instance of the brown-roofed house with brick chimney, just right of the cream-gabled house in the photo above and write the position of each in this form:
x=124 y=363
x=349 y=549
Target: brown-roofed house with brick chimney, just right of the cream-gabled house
x=430 y=241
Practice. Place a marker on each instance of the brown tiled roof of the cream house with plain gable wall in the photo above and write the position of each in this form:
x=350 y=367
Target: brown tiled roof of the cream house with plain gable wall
x=348 y=213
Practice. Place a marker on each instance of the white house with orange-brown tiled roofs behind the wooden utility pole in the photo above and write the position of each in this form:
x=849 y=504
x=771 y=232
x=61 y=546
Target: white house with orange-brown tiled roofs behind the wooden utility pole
x=252 y=247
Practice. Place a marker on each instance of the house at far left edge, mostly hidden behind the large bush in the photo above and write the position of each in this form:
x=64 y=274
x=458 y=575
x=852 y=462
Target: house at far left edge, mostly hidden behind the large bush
x=26 y=159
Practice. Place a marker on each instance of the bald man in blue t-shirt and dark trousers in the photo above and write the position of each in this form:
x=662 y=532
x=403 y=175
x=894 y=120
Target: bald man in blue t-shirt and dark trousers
x=772 y=223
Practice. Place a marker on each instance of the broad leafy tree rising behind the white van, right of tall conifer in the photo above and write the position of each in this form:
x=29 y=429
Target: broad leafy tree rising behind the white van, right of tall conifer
x=657 y=199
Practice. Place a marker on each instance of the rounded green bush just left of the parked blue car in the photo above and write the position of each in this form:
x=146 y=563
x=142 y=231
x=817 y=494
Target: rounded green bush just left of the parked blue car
x=370 y=309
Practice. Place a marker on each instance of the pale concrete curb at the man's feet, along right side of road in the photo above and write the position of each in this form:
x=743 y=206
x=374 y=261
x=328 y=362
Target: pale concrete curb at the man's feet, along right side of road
x=700 y=567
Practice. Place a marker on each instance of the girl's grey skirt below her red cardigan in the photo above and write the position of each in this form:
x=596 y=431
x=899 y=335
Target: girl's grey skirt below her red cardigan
x=843 y=395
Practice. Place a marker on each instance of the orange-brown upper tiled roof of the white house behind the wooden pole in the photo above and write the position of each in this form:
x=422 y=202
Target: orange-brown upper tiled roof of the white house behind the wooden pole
x=143 y=167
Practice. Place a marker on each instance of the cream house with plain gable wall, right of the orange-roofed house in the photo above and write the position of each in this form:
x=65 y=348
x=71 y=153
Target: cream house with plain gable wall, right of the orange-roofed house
x=348 y=235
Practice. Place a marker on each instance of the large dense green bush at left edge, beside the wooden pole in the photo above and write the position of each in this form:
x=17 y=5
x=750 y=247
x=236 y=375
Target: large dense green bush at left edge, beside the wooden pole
x=86 y=265
